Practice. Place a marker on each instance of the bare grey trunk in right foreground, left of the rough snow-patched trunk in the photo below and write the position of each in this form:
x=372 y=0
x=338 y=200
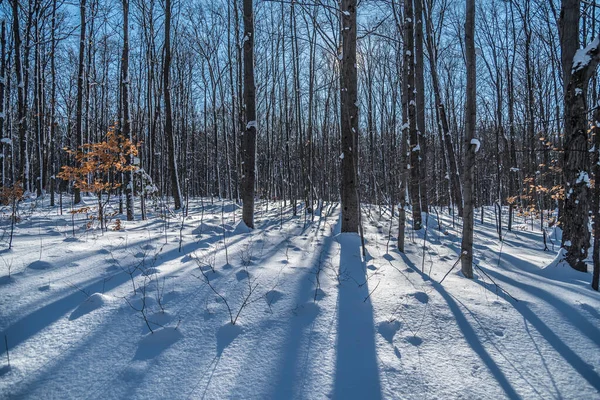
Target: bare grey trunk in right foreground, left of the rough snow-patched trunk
x=469 y=161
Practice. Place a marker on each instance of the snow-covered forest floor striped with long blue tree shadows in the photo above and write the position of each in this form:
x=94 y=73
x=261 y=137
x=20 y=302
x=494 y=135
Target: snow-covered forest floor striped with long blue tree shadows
x=317 y=319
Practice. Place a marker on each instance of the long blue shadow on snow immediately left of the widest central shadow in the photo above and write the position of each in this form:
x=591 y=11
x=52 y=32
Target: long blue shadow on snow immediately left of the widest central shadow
x=292 y=369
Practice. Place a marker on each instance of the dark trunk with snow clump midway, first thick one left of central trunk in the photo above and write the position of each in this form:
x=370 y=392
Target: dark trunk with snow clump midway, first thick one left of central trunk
x=249 y=136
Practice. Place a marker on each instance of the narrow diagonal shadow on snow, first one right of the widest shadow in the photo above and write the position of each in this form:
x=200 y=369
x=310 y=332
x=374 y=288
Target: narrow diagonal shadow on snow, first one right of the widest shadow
x=470 y=335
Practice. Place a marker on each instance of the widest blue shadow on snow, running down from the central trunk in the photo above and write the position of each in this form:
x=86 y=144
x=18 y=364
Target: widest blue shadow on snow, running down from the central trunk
x=357 y=372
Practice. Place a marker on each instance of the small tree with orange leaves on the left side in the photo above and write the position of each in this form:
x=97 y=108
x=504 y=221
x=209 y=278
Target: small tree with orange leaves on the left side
x=99 y=165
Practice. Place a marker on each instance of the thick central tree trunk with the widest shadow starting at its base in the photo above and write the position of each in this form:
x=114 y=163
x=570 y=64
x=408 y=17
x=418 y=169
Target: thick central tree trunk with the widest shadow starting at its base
x=349 y=119
